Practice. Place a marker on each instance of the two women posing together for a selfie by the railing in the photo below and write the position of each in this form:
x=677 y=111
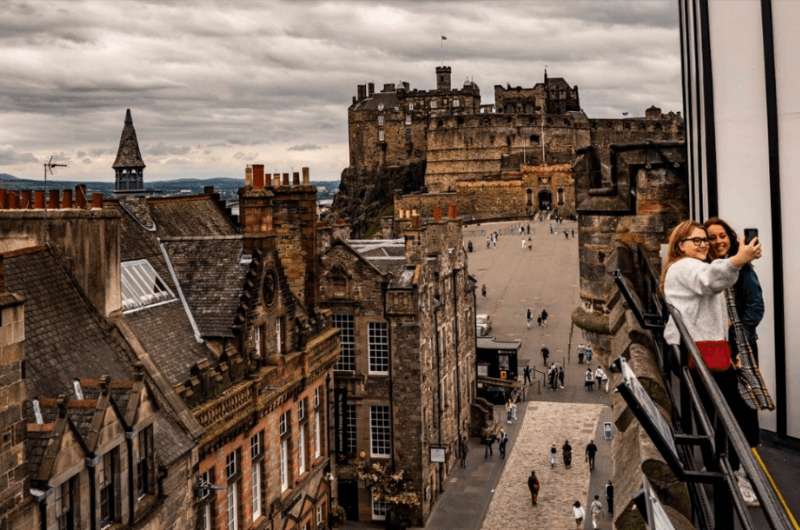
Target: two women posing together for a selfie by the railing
x=709 y=278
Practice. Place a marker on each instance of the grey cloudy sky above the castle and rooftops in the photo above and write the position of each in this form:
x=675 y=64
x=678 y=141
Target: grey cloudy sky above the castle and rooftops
x=213 y=87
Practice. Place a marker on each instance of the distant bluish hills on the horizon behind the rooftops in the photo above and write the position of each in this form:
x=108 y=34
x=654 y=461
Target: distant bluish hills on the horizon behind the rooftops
x=226 y=186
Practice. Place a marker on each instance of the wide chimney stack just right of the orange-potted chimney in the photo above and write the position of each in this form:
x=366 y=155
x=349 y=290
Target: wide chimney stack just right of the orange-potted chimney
x=295 y=225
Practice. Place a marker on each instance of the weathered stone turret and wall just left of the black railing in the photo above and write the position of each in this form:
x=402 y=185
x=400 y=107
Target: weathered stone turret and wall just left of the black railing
x=626 y=211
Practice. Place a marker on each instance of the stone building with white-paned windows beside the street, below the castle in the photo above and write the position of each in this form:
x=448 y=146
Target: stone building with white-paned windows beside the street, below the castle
x=406 y=375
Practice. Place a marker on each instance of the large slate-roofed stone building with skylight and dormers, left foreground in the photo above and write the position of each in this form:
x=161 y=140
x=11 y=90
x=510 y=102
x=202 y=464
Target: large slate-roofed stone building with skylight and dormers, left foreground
x=211 y=322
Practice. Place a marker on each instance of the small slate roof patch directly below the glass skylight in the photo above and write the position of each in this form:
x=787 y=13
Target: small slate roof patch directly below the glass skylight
x=167 y=335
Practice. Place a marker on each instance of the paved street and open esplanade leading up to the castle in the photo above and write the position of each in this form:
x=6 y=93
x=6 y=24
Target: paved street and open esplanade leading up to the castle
x=489 y=494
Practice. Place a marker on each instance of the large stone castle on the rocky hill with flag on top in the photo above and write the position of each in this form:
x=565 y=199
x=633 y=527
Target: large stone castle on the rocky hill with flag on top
x=416 y=149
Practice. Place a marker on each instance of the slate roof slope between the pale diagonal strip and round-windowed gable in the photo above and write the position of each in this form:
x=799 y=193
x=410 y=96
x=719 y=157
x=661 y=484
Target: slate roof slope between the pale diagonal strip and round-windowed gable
x=212 y=278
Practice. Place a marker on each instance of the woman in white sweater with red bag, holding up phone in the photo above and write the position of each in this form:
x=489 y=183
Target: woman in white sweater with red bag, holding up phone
x=695 y=287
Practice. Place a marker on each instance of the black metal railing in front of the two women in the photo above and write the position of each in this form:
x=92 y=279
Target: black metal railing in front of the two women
x=706 y=436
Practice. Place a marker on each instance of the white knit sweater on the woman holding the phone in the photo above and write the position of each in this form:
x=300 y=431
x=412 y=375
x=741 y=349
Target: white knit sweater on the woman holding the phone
x=695 y=289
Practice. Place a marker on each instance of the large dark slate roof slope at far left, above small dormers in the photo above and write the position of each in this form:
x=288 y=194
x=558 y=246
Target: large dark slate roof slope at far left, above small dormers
x=65 y=337
